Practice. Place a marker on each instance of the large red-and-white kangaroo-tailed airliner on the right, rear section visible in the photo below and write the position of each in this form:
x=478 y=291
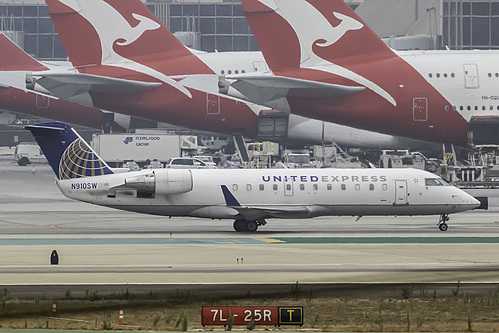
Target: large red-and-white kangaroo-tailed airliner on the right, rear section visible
x=328 y=64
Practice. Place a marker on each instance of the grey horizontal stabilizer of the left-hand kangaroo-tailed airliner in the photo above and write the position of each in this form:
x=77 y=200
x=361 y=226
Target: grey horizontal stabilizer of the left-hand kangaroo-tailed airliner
x=68 y=85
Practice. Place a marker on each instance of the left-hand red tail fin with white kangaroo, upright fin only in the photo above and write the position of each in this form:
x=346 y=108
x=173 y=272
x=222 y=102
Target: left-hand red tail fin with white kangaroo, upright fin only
x=96 y=32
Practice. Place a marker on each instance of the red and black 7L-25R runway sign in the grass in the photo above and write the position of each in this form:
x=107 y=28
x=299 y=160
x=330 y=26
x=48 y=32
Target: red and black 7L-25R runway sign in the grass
x=260 y=315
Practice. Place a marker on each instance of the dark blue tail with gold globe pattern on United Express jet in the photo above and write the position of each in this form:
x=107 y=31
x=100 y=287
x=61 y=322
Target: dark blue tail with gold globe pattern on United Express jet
x=68 y=154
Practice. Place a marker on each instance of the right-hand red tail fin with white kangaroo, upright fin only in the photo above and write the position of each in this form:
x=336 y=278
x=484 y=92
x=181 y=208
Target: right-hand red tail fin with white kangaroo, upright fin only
x=304 y=33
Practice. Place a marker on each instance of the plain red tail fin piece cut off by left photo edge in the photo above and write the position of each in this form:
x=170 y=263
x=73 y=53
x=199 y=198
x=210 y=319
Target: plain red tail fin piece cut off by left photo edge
x=13 y=58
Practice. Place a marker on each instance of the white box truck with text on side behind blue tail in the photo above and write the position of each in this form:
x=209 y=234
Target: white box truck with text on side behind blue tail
x=117 y=149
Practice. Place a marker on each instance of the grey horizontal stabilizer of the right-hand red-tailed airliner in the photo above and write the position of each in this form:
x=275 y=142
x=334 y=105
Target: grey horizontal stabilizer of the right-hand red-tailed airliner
x=267 y=89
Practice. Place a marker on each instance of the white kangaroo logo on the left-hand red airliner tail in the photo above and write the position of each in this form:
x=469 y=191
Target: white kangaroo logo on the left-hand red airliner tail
x=113 y=28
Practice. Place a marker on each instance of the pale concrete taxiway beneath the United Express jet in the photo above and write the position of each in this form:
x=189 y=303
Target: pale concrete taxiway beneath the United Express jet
x=97 y=245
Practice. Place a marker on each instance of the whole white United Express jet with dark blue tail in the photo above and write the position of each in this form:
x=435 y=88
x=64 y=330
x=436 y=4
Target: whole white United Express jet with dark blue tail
x=248 y=196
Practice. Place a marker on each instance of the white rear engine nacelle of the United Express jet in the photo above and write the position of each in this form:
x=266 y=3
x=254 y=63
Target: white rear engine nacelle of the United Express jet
x=162 y=181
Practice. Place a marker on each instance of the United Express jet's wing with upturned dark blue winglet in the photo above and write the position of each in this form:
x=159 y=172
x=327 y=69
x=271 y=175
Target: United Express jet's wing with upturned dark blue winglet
x=261 y=212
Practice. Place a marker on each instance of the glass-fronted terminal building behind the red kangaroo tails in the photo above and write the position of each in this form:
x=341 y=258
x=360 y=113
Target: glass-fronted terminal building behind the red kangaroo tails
x=212 y=25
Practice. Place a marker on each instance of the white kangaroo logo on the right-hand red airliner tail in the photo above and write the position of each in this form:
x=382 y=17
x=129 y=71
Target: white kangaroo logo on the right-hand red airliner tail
x=294 y=12
